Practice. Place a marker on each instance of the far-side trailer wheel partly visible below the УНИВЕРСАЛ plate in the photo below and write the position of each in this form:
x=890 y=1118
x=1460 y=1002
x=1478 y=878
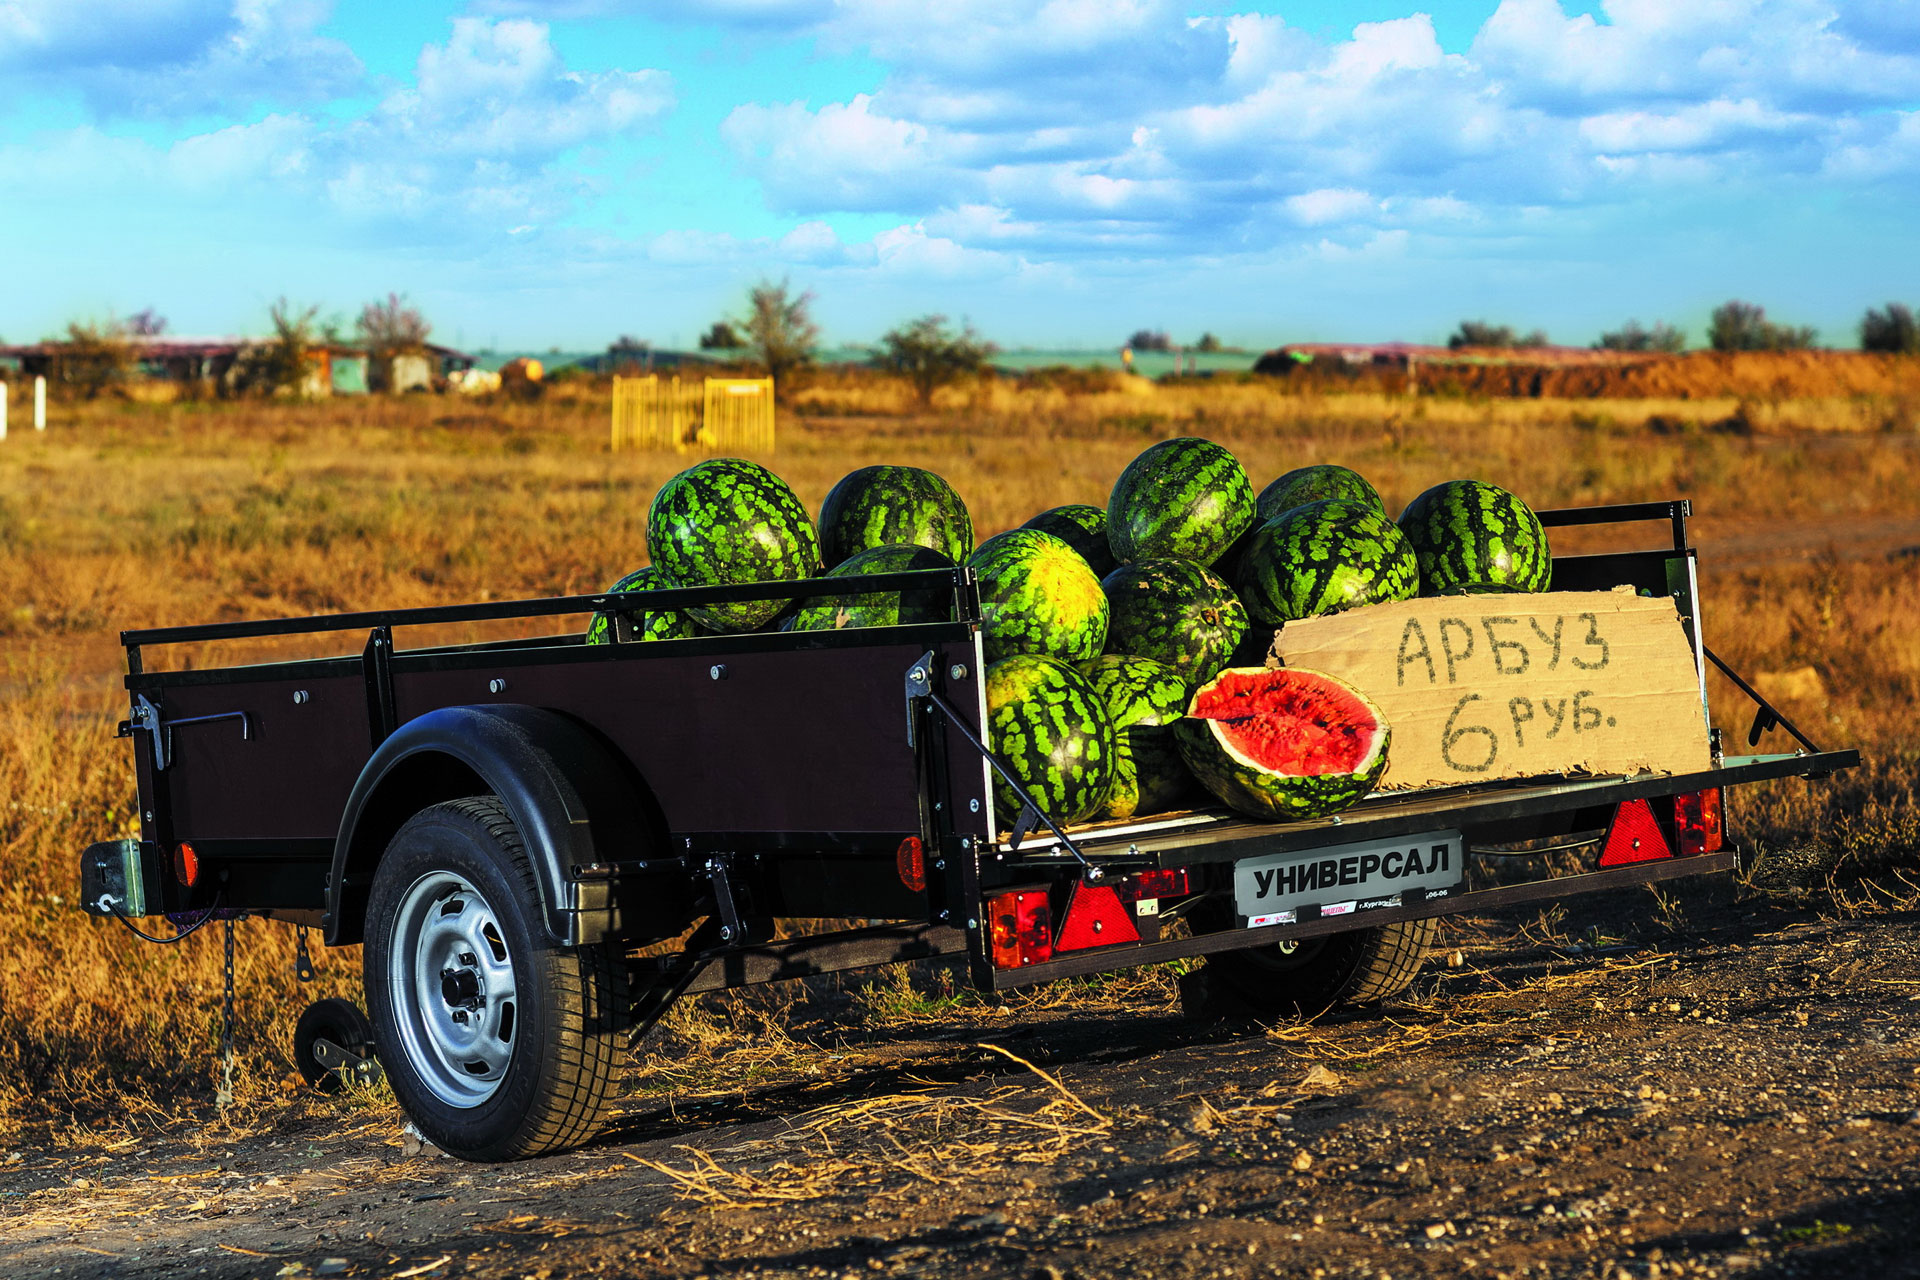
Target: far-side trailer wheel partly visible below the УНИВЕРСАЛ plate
x=1301 y=980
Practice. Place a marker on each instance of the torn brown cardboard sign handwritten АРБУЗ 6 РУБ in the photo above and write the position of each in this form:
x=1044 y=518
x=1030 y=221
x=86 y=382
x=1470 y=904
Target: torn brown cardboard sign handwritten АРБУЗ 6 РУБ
x=1518 y=686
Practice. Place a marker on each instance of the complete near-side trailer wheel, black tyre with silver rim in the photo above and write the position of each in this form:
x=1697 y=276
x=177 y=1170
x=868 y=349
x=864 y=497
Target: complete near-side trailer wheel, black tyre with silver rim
x=498 y=1045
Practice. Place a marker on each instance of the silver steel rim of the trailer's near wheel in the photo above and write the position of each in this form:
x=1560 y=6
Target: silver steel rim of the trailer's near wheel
x=454 y=989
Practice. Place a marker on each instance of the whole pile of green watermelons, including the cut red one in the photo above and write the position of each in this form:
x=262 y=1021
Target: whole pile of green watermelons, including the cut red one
x=1126 y=646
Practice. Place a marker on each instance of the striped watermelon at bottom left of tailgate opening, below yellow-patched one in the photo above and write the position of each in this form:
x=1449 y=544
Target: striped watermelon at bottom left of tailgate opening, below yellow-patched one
x=1049 y=726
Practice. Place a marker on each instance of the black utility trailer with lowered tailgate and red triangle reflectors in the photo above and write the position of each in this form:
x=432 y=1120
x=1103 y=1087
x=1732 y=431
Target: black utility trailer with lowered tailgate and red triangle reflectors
x=504 y=826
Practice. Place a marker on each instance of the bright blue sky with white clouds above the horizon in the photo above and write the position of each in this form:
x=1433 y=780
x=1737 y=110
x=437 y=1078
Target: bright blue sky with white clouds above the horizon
x=1065 y=172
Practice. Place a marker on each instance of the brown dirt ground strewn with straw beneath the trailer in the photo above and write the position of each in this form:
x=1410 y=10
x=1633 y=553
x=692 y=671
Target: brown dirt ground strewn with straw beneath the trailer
x=1706 y=1081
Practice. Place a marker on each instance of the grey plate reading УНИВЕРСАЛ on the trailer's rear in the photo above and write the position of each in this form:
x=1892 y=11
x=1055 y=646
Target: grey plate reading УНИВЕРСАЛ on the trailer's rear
x=1345 y=878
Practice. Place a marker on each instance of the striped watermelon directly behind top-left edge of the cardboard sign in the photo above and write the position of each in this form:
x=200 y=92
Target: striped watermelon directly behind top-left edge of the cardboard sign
x=1326 y=557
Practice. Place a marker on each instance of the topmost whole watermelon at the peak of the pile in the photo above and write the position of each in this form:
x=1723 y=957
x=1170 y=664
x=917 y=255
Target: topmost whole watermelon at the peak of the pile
x=1184 y=498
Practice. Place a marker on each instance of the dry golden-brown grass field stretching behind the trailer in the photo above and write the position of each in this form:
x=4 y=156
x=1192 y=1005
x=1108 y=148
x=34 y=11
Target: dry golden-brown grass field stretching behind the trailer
x=141 y=515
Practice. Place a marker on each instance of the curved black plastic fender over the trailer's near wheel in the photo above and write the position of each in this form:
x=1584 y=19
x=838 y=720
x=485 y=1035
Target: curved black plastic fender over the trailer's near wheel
x=571 y=794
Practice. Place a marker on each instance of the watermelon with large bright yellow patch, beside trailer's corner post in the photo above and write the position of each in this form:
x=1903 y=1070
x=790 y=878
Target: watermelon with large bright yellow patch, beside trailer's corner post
x=1038 y=596
